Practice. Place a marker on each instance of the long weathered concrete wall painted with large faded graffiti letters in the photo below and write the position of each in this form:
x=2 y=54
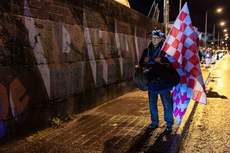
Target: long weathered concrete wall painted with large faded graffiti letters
x=61 y=57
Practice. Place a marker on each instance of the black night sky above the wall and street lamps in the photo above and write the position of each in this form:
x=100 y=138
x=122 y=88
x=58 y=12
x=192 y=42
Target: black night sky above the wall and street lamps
x=197 y=10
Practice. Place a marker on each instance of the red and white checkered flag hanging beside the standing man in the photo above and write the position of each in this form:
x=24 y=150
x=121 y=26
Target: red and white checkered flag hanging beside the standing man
x=181 y=48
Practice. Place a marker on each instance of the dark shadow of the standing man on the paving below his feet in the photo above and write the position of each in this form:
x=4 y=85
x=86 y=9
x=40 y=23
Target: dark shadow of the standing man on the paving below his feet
x=147 y=142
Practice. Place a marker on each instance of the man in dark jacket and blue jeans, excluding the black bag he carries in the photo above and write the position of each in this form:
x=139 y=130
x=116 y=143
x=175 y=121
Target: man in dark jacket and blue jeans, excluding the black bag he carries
x=151 y=57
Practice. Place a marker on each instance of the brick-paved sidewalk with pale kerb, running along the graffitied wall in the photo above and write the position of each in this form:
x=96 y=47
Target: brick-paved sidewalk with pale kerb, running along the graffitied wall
x=117 y=126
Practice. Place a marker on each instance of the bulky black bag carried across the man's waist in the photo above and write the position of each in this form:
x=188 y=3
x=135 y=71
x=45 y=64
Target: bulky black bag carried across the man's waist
x=157 y=79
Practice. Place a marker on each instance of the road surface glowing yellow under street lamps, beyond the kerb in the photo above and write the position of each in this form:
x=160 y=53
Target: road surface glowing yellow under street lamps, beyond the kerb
x=209 y=130
